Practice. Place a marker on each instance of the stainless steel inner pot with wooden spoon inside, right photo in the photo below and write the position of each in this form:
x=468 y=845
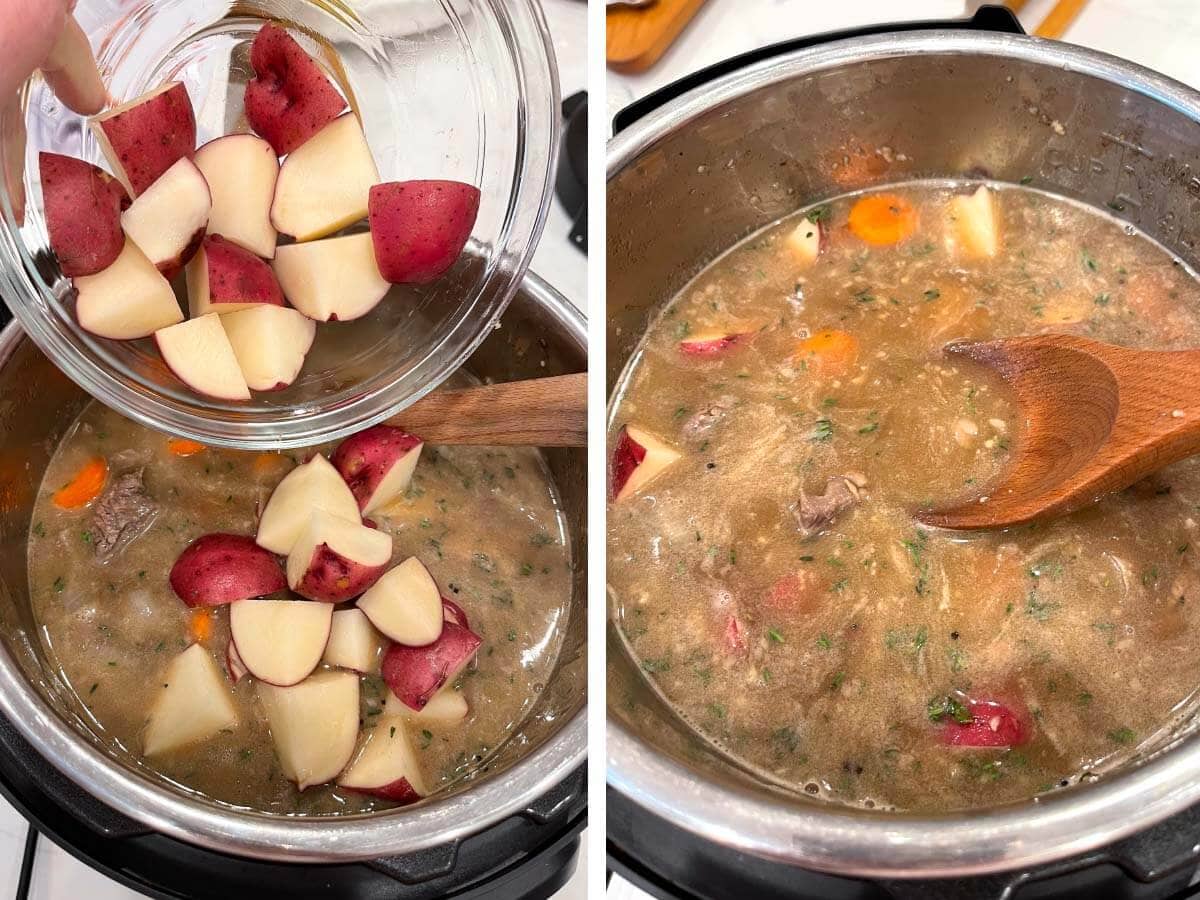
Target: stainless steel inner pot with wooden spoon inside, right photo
x=728 y=159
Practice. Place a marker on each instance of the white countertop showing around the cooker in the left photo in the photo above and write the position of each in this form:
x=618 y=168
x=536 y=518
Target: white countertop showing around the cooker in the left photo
x=57 y=874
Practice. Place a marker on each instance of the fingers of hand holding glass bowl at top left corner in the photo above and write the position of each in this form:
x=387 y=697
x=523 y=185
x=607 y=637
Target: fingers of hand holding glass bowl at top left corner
x=44 y=34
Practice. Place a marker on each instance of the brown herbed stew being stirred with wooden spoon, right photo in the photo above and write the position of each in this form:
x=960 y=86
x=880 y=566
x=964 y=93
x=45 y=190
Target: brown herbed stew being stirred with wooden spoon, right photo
x=772 y=581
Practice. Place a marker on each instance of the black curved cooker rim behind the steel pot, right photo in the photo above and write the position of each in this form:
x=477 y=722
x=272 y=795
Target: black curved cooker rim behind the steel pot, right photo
x=987 y=19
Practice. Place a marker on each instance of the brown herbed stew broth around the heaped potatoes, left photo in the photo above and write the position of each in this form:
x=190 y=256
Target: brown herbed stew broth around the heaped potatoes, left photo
x=485 y=523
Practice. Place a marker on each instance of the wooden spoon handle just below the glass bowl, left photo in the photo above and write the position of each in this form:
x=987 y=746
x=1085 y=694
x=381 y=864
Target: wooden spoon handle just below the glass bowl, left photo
x=539 y=412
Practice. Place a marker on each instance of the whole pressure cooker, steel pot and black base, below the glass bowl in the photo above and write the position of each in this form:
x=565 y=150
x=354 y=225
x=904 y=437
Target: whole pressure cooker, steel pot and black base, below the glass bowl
x=511 y=833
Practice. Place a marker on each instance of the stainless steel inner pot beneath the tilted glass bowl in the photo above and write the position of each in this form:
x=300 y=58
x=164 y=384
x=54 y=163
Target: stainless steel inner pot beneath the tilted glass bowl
x=541 y=334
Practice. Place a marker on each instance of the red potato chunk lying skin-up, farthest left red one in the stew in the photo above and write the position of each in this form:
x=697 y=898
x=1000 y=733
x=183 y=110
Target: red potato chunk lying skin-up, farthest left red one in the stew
x=219 y=569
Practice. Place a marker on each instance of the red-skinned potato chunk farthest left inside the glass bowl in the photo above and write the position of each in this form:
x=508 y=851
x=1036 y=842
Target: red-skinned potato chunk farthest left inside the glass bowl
x=83 y=214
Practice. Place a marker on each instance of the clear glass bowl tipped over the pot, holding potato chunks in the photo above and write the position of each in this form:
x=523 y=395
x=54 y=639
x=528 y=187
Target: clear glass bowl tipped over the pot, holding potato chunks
x=454 y=89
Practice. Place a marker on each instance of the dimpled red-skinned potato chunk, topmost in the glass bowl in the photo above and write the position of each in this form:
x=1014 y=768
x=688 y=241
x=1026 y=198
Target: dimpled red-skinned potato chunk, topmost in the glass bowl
x=290 y=99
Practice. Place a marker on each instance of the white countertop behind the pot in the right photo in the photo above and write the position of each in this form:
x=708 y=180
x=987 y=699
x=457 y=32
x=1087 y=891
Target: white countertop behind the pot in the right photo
x=1160 y=34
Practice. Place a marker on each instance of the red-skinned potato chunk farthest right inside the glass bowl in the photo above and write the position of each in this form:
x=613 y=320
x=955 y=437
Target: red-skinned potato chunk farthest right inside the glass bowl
x=419 y=229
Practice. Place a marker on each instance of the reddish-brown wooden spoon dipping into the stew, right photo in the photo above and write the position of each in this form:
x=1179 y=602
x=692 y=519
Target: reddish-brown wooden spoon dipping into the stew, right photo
x=1096 y=419
